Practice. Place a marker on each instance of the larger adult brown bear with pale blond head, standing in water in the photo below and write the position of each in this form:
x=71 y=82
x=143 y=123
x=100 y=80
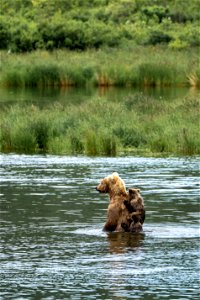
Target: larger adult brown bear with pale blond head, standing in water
x=117 y=213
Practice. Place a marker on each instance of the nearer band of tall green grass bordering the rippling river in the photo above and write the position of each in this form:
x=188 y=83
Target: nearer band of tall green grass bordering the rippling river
x=101 y=127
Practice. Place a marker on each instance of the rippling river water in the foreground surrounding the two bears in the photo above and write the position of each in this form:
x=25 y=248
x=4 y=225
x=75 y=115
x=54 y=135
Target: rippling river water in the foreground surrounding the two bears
x=52 y=244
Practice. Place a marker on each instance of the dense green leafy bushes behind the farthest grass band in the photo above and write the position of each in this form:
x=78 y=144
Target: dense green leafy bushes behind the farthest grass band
x=27 y=25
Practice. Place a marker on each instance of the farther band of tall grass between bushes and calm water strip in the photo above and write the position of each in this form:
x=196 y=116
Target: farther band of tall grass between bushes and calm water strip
x=129 y=66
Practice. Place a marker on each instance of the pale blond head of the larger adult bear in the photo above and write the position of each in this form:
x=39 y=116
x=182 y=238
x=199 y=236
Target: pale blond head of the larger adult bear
x=112 y=184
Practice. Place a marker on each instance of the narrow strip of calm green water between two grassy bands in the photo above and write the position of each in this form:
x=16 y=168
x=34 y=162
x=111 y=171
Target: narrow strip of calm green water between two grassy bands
x=43 y=97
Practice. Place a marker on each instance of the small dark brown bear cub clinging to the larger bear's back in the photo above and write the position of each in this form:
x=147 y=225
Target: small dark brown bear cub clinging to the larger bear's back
x=135 y=206
